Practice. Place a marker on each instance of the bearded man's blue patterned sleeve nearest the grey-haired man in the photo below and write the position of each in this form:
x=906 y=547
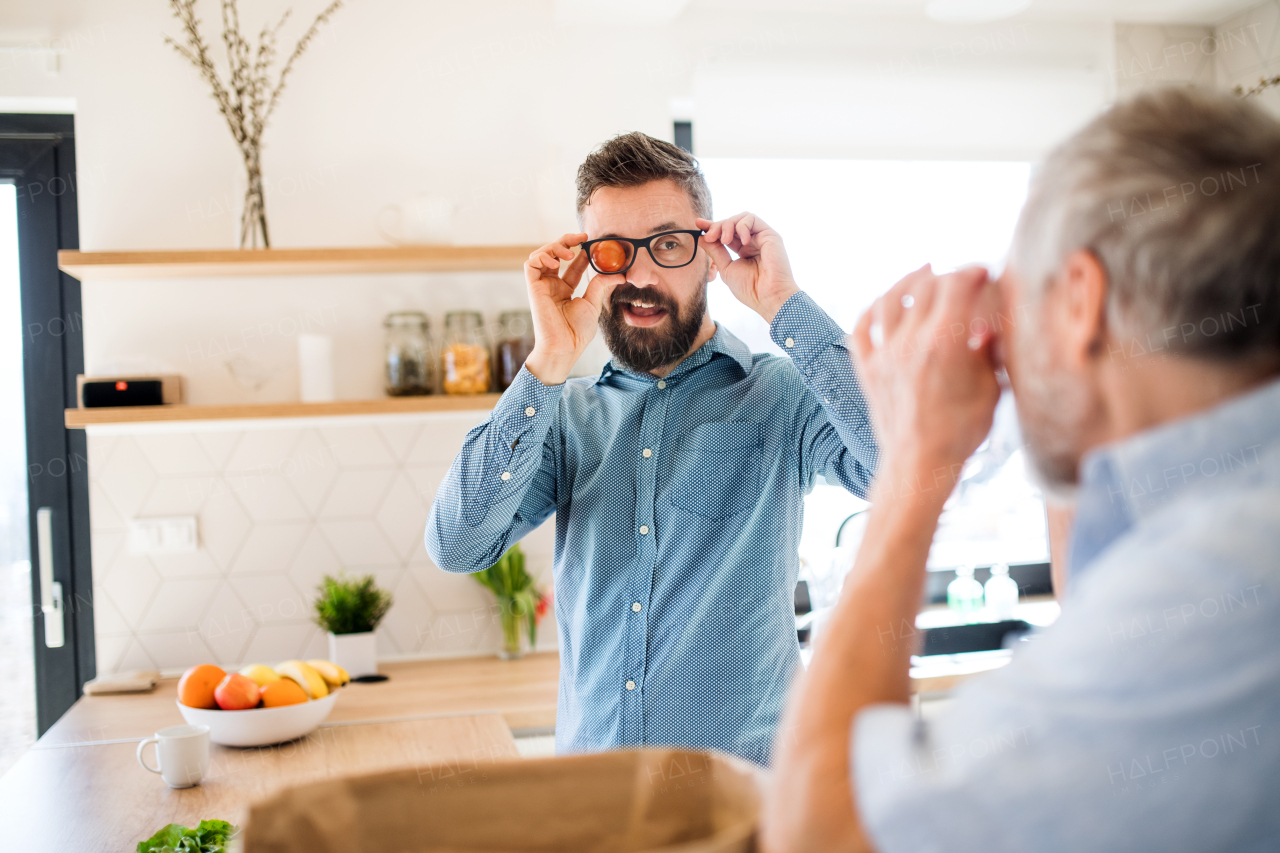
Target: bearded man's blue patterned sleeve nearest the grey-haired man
x=836 y=436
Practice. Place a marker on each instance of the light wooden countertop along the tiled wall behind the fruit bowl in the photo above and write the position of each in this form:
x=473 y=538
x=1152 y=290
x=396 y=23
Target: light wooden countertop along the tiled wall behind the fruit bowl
x=523 y=692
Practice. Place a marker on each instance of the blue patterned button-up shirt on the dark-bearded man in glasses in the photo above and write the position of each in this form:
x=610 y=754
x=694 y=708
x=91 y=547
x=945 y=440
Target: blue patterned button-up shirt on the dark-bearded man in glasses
x=679 y=507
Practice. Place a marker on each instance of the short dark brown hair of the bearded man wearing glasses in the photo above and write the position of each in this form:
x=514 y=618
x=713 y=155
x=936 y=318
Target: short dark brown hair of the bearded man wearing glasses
x=636 y=159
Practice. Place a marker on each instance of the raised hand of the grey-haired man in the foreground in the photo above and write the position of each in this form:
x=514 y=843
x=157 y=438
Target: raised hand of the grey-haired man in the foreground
x=924 y=355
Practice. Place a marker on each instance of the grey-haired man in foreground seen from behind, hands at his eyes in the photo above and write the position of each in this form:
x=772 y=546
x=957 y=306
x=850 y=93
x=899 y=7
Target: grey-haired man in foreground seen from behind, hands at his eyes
x=1145 y=291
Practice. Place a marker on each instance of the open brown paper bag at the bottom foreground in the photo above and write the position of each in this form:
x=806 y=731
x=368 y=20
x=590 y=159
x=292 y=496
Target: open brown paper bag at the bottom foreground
x=629 y=801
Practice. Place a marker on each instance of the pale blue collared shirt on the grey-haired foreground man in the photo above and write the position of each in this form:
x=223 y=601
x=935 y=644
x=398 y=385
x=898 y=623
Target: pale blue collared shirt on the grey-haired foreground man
x=1149 y=717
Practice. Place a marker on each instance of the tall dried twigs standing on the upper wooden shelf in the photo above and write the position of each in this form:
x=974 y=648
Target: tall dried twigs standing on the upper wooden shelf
x=249 y=97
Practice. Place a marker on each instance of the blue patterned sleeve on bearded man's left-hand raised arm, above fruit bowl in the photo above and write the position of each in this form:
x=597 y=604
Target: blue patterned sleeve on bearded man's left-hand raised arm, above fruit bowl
x=502 y=483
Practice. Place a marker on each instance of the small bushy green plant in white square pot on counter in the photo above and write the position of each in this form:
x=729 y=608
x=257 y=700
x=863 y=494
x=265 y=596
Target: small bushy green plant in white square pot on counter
x=350 y=609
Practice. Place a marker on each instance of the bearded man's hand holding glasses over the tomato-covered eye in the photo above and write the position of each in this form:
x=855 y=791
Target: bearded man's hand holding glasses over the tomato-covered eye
x=563 y=326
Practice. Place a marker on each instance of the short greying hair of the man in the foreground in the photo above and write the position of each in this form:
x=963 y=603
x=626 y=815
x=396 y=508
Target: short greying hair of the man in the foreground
x=1177 y=193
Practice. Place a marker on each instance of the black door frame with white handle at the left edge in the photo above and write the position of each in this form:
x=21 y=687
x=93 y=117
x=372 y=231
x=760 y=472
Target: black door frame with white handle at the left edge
x=38 y=153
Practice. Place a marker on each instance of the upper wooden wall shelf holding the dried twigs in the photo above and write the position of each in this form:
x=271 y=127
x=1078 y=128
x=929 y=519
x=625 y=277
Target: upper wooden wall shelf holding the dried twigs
x=291 y=262
